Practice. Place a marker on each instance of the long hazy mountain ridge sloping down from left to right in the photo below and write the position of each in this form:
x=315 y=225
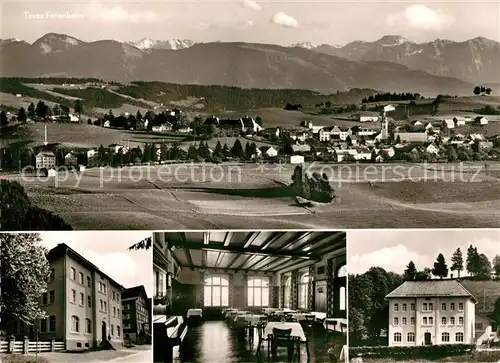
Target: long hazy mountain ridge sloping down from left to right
x=245 y=65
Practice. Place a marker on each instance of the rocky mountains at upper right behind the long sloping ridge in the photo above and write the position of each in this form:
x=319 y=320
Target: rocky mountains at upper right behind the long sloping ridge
x=474 y=60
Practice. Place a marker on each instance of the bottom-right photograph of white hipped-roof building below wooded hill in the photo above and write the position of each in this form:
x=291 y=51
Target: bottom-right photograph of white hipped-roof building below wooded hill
x=424 y=295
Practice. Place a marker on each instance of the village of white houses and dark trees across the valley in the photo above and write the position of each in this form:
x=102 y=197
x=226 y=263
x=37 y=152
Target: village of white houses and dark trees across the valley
x=447 y=138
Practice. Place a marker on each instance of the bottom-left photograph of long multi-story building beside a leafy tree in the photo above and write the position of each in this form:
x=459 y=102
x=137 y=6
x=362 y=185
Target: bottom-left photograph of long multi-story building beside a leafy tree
x=75 y=297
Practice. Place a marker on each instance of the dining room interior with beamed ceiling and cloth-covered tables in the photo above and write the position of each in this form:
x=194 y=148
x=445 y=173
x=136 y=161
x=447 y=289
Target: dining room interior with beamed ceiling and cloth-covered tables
x=224 y=296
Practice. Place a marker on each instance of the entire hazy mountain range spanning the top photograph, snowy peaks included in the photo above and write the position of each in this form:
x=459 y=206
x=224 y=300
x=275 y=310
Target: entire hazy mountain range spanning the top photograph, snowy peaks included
x=391 y=63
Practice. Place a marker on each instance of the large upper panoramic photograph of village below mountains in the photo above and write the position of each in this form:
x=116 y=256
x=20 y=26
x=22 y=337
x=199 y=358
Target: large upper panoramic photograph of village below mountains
x=249 y=114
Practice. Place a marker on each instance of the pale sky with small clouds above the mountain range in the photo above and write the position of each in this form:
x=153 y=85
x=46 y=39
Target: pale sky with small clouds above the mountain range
x=278 y=22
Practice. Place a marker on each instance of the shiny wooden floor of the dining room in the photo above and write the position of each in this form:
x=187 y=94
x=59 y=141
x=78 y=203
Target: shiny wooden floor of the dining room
x=215 y=341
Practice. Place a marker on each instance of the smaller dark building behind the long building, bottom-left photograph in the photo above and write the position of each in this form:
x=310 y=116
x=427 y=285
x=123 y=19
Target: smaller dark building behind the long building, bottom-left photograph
x=136 y=314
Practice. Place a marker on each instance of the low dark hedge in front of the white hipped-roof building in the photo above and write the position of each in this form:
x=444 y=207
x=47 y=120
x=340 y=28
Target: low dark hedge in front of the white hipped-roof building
x=413 y=352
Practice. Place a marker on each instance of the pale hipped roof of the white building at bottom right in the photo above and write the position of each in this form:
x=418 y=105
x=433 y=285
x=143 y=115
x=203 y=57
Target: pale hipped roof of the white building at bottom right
x=431 y=288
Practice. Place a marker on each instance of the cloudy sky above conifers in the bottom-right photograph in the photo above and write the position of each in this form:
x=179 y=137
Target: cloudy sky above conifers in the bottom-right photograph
x=393 y=249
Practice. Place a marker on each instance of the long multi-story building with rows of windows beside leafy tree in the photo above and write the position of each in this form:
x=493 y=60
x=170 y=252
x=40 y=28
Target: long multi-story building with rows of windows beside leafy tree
x=82 y=303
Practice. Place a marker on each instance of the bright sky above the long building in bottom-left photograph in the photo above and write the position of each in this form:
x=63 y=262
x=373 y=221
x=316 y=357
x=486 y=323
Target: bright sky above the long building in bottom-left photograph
x=108 y=250
